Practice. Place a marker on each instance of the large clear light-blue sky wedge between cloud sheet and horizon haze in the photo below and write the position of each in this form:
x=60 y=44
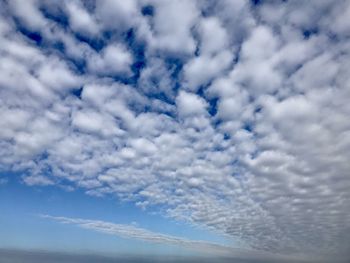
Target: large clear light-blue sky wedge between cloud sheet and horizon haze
x=22 y=227
